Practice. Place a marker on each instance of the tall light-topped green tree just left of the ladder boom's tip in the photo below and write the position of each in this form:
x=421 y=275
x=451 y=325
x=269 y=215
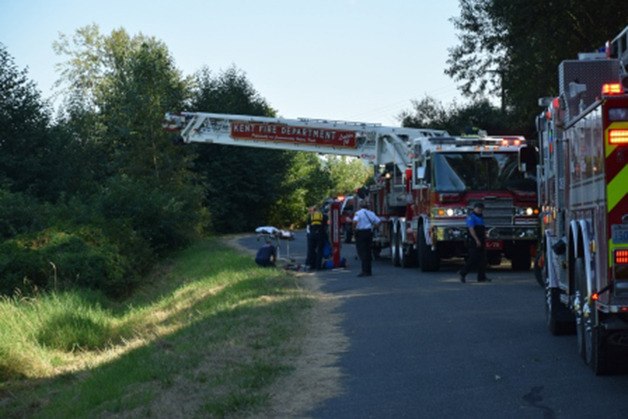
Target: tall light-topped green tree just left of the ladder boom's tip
x=128 y=83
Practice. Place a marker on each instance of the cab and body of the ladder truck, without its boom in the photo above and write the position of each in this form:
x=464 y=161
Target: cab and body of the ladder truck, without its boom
x=426 y=205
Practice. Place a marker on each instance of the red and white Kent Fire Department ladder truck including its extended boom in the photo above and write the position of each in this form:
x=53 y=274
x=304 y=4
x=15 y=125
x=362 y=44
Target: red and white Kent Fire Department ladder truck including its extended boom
x=426 y=181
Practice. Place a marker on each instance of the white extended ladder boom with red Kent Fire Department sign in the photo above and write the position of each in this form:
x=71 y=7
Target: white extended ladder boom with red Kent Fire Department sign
x=372 y=142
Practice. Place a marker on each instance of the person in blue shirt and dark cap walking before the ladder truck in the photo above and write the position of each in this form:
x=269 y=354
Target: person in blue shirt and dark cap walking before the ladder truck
x=475 y=244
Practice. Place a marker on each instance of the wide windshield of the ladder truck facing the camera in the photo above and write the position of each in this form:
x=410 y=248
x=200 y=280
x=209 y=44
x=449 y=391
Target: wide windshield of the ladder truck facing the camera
x=463 y=171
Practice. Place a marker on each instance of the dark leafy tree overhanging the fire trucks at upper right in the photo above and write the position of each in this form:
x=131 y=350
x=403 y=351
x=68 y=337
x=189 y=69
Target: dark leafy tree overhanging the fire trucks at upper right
x=512 y=49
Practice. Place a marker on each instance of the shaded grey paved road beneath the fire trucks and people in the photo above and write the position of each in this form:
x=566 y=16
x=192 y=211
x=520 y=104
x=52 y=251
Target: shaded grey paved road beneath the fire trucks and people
x=424 y=345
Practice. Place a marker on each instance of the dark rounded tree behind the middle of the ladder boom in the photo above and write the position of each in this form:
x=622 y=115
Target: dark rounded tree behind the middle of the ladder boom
x=242 y=184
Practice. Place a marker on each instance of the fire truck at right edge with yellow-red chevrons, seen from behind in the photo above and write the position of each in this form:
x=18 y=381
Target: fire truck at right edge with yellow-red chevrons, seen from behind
x=583 y=179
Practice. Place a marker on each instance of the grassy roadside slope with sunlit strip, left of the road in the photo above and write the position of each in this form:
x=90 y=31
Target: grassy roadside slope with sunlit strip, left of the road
x=206 y=338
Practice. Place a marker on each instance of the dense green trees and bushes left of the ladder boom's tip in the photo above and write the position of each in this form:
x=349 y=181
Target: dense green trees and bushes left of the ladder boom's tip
x=91 y=199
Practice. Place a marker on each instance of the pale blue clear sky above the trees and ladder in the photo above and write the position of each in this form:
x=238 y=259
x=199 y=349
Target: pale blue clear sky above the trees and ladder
x=353 y=60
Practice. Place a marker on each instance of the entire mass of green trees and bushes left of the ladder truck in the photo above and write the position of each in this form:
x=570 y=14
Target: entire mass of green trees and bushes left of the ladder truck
x=95 y=196
